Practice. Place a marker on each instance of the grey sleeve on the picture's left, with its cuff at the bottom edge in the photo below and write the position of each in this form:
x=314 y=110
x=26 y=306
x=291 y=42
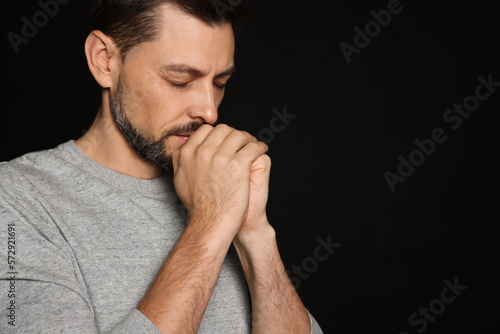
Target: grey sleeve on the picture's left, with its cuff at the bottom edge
x=41 y=287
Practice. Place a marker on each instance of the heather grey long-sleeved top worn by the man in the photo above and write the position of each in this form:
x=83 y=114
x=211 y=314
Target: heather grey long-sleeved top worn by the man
x=89 y=242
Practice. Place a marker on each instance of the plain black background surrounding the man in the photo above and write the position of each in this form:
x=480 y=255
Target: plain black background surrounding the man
x=353 y=121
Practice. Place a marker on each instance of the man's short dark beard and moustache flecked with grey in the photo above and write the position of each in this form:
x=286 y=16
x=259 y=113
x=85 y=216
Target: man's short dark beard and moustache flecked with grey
x=153 y=151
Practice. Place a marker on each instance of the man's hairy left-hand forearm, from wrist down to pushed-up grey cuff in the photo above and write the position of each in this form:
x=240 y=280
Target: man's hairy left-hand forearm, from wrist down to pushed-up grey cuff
x=181 y=291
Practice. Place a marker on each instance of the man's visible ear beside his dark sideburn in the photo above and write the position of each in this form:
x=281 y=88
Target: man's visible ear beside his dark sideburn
x=102 y=57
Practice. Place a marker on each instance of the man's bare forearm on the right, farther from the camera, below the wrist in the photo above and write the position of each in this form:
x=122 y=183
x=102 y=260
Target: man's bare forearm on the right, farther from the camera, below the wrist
x=276 y=306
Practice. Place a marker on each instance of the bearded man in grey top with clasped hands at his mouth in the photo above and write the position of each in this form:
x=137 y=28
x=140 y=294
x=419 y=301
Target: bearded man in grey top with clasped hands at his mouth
x=154 y=220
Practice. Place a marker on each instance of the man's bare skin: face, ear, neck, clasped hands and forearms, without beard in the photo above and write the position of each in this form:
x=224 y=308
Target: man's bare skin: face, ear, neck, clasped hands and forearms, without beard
x=220 y=174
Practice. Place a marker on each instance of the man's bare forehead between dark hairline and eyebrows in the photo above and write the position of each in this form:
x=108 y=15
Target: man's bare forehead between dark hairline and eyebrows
x=184 y=38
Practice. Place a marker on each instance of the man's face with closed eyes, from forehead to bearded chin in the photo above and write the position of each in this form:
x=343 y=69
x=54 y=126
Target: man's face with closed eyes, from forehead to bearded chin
x=167 y=88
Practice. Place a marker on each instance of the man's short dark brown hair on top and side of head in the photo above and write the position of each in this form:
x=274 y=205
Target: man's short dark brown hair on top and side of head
x=131 y=22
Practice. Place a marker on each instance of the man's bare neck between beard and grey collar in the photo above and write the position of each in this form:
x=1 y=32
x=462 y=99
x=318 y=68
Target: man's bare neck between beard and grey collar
x=105 y=144
